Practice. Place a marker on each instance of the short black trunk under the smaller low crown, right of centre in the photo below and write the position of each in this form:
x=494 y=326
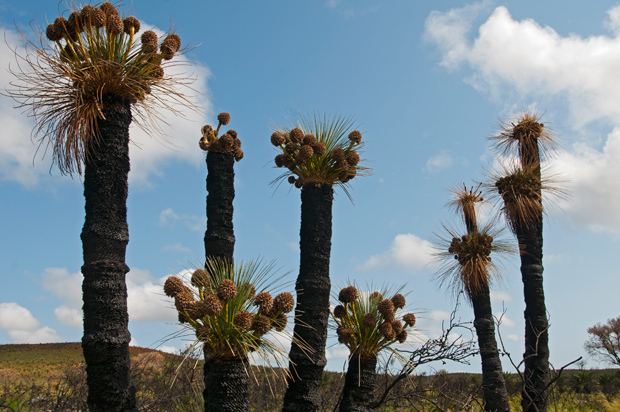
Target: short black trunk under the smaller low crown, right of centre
x=359 y=384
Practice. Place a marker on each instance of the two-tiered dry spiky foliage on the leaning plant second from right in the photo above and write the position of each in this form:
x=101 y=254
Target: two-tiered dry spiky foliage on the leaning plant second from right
x=466 y=259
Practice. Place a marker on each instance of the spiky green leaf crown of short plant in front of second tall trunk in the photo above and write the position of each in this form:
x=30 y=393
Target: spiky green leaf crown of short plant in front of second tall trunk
x=228 y=318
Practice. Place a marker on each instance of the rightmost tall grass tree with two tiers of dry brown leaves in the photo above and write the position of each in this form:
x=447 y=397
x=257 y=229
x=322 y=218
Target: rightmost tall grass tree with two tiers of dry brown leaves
x=520 y=189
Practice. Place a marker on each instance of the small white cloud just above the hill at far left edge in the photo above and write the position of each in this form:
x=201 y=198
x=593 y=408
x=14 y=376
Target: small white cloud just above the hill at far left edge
x=22 y=327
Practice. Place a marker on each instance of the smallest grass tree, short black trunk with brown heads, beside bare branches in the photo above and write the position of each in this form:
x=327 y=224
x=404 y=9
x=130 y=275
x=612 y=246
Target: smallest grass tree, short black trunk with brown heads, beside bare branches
x=368 y=324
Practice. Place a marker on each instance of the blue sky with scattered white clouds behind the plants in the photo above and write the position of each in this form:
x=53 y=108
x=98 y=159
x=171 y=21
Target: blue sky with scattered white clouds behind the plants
x=426 y=82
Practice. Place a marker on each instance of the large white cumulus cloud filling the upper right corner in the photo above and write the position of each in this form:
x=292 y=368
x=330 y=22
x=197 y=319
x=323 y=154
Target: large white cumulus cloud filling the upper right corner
x=523 y=61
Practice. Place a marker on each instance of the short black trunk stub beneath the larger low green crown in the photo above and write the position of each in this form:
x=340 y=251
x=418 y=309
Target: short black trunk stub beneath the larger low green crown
x=228 y=389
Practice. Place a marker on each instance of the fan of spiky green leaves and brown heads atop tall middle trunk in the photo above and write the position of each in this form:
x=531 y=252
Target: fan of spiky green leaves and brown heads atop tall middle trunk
x=320 y=150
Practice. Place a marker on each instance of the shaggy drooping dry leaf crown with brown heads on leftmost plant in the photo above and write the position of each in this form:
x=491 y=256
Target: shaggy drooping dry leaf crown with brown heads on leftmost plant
x=94 y=54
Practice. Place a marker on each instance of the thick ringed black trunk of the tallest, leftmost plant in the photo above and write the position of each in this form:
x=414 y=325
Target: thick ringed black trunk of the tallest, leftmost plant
x=104 y=240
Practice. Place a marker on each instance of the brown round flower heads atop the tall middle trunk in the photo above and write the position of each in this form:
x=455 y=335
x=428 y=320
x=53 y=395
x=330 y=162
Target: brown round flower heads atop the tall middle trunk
x=311 y=159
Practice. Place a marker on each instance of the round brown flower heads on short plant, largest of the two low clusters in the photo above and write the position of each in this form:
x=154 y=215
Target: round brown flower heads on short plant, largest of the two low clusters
x=225 y=311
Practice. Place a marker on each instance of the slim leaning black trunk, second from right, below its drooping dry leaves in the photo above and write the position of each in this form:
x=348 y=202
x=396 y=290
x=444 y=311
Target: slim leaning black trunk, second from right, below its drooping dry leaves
x=493 y=383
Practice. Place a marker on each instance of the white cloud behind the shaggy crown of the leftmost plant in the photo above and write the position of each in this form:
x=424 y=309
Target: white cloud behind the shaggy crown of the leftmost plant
x=21 y=162
